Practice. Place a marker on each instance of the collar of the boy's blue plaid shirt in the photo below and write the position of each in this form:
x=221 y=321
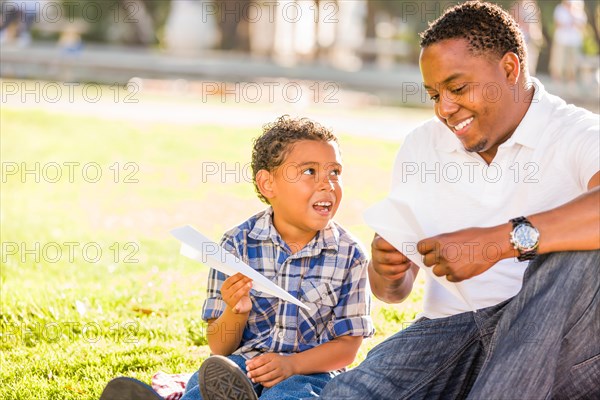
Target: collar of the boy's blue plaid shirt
x=327 y=238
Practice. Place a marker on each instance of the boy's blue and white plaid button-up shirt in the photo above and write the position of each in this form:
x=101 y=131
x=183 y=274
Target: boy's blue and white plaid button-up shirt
x=329 y=275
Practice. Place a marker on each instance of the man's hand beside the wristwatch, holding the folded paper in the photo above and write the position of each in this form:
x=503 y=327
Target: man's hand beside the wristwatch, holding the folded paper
x=464 y=254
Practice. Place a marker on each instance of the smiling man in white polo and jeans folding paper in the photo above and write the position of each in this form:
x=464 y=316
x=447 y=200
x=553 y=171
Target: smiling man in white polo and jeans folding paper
x=521 y=166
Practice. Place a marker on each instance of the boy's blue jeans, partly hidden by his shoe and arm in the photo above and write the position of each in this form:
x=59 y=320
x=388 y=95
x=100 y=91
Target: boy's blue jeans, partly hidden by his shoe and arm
x=294 y=387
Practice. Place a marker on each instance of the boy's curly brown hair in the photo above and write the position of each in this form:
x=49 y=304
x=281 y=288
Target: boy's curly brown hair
x=275 y=143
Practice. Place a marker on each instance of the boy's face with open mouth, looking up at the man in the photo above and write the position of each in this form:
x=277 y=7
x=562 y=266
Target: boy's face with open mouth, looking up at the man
x=306 y=189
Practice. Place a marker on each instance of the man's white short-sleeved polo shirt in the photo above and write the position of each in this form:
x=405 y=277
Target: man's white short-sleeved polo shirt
x=548 y=161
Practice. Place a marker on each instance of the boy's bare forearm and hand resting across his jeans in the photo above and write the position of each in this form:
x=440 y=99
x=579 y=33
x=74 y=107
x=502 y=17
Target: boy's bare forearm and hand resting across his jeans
x=271 y=368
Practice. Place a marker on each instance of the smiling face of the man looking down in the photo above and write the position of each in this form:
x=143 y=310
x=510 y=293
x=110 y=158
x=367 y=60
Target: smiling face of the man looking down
x=474 y=96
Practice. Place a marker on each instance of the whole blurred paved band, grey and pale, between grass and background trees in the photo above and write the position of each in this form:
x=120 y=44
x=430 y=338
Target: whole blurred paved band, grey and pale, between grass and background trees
x=224 y=89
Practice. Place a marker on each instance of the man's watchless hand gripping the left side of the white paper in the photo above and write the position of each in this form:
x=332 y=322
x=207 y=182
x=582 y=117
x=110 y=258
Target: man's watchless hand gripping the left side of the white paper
x=387 y=261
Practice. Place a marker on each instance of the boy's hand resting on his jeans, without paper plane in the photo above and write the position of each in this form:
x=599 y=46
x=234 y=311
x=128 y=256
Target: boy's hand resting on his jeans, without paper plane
x=270 y=369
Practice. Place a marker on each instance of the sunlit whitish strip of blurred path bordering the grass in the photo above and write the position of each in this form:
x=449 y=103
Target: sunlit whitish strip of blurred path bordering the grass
x=350 y=114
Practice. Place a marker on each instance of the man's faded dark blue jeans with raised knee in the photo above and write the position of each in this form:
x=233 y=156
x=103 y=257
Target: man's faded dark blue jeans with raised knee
x=541 y=344
